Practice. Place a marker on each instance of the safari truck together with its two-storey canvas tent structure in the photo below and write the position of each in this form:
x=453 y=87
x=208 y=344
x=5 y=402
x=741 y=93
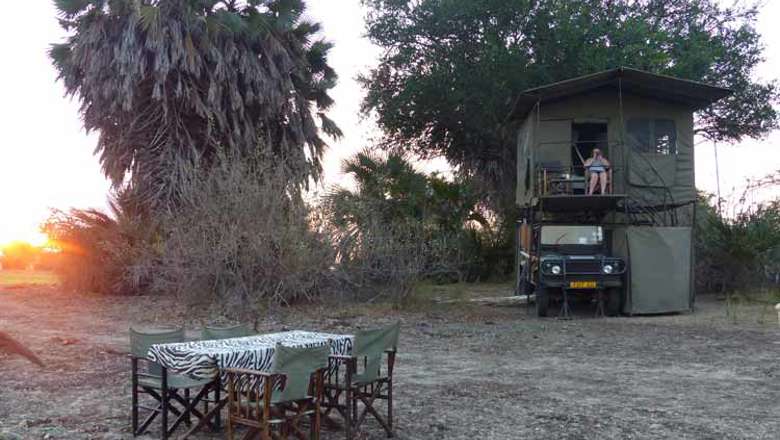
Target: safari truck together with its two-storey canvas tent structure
x=628 y=247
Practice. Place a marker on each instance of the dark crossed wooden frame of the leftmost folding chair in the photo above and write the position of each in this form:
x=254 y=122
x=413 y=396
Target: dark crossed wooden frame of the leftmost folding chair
x=165 y=397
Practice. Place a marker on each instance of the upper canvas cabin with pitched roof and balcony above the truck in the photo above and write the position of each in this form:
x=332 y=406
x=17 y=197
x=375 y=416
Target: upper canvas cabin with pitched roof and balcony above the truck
x=642 y=122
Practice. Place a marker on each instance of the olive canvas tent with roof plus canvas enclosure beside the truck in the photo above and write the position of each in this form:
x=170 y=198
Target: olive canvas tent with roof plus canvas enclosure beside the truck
x=644 y=124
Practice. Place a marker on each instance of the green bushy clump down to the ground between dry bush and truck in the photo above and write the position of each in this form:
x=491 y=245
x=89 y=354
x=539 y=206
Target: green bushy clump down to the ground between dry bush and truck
x=400 y=225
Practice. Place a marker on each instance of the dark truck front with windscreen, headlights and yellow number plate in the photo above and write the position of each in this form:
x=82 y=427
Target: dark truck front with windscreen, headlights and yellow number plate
x=574 y=261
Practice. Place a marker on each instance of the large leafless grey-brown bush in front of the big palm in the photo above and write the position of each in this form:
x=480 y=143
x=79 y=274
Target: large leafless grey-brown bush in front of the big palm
x=242 y=237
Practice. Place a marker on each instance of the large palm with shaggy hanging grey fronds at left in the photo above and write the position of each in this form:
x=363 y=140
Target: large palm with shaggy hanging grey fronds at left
x=176 y=83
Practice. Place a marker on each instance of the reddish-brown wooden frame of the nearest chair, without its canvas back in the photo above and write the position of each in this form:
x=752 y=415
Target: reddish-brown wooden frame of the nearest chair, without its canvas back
x=271 y=420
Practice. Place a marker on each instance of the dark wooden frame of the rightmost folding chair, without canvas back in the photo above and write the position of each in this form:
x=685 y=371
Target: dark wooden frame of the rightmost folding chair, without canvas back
x=365 y=393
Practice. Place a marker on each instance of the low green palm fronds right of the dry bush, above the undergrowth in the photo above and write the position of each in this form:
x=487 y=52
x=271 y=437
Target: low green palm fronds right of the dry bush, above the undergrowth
x=392 y=200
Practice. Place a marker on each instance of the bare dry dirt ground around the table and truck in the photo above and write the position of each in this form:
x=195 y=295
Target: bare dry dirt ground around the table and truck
x=463 y=372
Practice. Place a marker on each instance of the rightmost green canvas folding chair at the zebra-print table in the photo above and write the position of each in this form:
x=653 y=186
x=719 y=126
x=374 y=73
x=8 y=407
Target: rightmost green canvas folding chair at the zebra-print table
x=364 y=382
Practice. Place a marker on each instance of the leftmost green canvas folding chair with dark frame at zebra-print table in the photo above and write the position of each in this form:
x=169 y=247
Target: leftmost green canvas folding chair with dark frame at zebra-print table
x=166 y=389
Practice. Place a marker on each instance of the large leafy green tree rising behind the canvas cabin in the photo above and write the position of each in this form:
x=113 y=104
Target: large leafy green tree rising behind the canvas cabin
x=450 y=69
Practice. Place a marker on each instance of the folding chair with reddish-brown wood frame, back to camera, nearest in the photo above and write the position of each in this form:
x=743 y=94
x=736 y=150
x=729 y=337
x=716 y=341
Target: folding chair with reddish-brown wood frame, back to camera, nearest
x=273 y=404
